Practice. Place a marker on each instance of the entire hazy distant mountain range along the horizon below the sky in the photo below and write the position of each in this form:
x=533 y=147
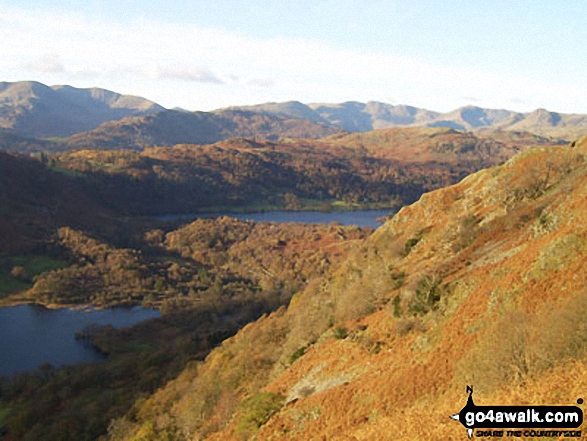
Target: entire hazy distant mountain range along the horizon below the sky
x=98 y=118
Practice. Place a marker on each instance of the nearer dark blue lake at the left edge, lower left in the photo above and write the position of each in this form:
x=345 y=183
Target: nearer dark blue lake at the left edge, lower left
x=31 y=335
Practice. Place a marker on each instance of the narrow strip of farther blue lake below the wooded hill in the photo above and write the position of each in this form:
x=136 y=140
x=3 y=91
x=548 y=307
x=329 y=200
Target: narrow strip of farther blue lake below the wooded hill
x=362 y=218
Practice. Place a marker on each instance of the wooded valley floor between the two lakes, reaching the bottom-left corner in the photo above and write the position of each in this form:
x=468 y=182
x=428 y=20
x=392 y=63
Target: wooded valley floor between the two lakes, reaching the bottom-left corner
x=208 y=279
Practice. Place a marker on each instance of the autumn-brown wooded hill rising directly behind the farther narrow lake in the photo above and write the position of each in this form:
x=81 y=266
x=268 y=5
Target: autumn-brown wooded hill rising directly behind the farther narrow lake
x=386 y=167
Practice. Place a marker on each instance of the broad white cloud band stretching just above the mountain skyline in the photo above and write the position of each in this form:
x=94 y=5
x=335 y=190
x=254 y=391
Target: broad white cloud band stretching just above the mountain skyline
x=220 y=68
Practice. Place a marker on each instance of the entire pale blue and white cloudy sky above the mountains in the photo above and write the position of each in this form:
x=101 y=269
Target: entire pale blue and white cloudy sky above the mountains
x=208 y=54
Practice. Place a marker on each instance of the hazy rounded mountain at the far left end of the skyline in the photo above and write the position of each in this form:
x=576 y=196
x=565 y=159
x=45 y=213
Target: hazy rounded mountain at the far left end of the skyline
x=32 y=109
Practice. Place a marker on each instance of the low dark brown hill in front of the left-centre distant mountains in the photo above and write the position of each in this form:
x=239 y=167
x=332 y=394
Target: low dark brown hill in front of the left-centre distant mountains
x=176 y=127
